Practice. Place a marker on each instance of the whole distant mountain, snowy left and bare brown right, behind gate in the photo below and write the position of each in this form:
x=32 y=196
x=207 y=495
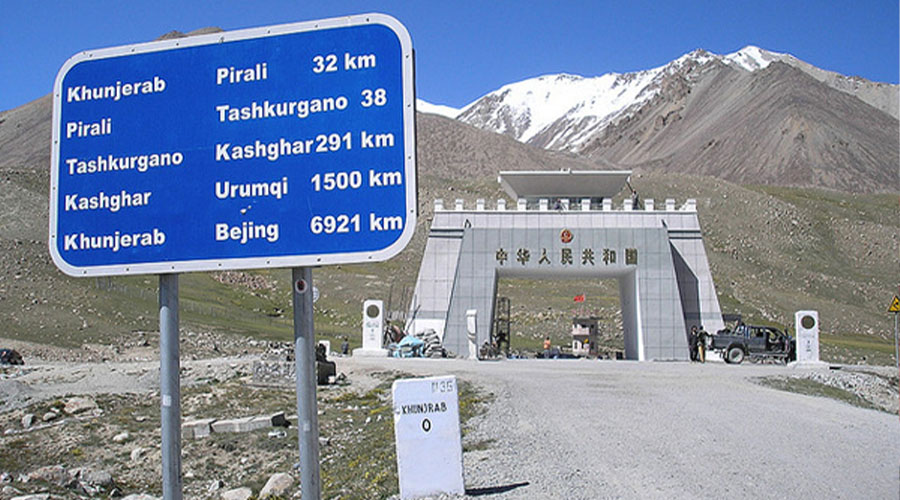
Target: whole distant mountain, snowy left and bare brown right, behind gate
x=752 y=116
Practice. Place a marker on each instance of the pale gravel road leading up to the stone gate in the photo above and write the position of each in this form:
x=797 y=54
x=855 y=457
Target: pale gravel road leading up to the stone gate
x=577 y=429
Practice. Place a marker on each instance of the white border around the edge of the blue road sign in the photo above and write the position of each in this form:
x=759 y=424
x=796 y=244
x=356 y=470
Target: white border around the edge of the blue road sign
x=285 y=261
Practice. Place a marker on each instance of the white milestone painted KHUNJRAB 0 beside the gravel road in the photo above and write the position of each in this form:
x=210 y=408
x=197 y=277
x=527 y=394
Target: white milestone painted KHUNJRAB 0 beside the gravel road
x=429 y=443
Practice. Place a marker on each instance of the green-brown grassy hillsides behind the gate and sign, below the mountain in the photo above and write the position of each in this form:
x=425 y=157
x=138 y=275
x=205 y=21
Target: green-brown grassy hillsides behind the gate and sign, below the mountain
x=845 y=242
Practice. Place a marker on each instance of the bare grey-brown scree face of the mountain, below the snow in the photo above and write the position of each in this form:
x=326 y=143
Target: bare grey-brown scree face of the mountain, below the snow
x=777 y=126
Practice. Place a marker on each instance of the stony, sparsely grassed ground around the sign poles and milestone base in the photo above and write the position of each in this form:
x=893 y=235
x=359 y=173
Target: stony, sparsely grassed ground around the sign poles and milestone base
x=357 y=452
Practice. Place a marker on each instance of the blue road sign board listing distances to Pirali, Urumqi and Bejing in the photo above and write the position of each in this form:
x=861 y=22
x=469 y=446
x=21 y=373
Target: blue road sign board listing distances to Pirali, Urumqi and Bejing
x=281 y=146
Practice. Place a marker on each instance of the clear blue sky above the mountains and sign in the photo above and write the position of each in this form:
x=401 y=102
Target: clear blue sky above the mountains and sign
x=465 y=49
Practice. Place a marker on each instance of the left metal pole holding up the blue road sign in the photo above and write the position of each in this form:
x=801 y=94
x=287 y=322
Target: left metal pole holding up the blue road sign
x=169 y=386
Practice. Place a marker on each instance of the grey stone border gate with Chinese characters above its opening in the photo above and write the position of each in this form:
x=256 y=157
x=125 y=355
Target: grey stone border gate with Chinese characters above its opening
x=564 y=225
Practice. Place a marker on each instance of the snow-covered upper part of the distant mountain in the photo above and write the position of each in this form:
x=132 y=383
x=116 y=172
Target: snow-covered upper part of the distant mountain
x=565 y=112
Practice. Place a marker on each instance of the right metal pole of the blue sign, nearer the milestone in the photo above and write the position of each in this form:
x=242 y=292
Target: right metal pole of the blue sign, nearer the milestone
x=304 y=356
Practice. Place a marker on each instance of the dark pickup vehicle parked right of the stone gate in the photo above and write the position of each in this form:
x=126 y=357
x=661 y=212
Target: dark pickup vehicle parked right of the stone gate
x=757 y=343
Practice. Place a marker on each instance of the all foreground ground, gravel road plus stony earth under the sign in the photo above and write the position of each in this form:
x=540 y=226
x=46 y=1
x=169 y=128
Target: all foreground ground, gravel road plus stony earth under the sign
x=551 y=428
